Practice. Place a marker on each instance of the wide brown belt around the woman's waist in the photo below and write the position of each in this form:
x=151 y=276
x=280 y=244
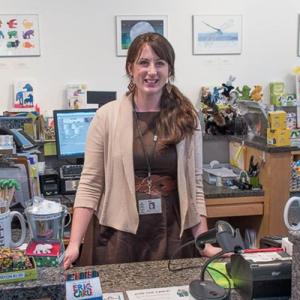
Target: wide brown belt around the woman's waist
x=161 y=185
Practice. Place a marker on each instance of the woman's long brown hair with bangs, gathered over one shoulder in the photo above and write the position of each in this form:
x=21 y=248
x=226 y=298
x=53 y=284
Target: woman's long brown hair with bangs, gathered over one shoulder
x=178 y=117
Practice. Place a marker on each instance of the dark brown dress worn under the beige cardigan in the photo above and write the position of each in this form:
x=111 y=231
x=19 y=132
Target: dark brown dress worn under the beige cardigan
x=158 y=234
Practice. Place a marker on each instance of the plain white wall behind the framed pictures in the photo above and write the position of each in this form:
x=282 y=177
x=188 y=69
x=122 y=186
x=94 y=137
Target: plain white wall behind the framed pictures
x=78 y=45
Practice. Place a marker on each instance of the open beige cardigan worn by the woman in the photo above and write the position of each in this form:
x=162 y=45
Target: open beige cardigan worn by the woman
x=107 y=180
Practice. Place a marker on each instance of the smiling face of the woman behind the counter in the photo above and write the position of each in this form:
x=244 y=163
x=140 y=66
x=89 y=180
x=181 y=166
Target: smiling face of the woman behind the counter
x=150 y=73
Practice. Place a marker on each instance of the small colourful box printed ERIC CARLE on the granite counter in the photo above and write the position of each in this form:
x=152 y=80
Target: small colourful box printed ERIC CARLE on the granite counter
x=83 y=285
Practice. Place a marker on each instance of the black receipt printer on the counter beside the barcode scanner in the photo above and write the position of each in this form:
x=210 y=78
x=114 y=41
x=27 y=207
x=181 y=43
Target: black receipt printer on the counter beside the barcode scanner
x=262 y=275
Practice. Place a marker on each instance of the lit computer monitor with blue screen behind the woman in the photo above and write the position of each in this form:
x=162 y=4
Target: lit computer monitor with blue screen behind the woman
x=71 y=127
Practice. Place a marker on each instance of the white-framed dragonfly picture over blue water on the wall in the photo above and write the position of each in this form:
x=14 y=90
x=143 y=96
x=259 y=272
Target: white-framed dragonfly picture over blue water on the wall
x=216 y=34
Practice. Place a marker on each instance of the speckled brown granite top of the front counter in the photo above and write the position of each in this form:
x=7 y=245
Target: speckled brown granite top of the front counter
x=114 y=278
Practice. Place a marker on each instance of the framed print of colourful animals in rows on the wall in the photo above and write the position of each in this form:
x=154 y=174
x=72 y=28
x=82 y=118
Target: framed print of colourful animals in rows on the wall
x=19 y=35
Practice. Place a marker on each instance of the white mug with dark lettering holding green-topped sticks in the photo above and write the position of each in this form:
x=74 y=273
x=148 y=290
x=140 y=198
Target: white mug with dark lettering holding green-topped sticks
x=5 y=229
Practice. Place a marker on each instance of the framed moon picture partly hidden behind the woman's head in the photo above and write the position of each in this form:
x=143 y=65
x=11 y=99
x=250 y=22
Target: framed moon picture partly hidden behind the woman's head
x=129 y=27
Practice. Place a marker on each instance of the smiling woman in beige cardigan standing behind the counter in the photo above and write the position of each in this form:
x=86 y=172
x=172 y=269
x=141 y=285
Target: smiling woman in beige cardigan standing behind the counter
x=142 y=176
